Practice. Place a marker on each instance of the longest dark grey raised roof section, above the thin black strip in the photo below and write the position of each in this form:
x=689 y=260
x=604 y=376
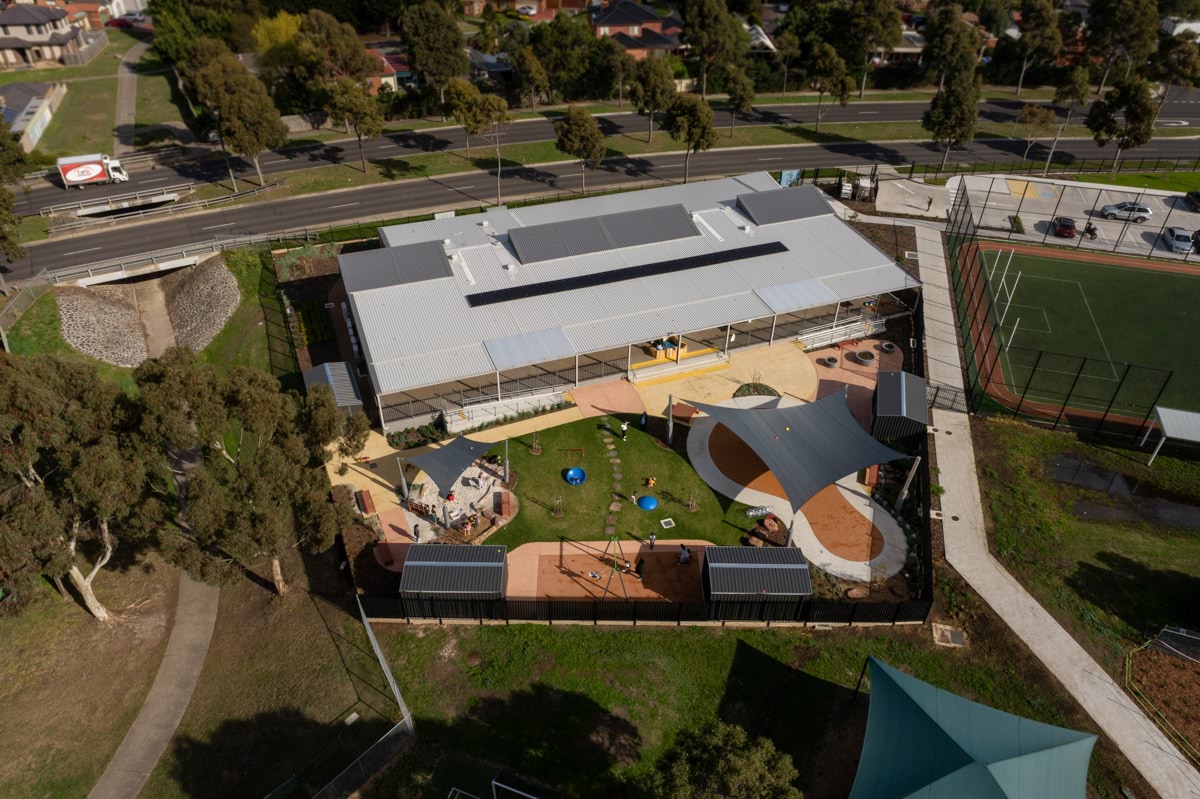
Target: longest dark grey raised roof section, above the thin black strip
x=557 y=241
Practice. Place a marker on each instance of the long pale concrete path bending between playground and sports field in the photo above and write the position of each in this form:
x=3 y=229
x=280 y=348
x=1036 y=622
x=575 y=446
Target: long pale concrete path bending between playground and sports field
x=967 y=549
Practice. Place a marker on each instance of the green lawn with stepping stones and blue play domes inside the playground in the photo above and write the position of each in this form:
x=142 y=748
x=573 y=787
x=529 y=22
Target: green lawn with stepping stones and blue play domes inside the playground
x=585 y=508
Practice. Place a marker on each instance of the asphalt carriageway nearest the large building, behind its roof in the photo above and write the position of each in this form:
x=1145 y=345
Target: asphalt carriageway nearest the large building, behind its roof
x=397 y=200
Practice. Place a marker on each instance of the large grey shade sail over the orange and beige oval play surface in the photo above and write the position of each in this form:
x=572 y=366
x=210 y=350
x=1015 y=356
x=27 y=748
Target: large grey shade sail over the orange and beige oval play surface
x=806 y=447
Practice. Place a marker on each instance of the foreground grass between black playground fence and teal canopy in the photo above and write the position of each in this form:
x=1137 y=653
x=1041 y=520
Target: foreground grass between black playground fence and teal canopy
x=580 y=710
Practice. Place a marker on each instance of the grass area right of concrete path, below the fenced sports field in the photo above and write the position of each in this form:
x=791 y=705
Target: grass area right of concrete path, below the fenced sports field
x=1111 y=582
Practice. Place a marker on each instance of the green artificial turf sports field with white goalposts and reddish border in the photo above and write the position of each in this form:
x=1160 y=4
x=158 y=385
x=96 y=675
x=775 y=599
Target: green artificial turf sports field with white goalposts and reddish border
x=1111 y=311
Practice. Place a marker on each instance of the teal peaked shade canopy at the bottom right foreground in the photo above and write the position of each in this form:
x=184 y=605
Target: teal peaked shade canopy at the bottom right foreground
x=927 y=743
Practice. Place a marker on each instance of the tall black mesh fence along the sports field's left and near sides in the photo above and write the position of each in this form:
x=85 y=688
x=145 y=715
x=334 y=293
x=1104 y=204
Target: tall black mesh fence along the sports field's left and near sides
x=1076 y=392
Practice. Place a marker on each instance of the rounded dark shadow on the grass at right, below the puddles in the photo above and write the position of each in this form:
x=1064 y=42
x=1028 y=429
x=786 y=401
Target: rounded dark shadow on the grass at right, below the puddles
x=1143 y=598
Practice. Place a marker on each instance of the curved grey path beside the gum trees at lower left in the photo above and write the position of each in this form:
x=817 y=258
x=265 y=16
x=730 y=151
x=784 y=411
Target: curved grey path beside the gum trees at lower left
x=172 y=690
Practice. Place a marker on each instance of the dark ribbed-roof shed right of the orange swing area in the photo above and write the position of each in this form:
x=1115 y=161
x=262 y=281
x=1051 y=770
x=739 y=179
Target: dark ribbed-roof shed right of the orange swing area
x=753 y=574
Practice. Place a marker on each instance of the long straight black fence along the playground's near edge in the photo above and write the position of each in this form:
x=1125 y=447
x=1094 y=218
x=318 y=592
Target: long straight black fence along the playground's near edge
x=550 y=611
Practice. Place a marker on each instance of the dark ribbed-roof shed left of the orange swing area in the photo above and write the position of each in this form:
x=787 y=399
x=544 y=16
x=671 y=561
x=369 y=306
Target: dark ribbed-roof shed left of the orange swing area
x=454 y=572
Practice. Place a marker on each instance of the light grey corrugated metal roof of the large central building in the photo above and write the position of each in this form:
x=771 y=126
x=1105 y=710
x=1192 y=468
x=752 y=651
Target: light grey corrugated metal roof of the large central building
x=419 y=334
